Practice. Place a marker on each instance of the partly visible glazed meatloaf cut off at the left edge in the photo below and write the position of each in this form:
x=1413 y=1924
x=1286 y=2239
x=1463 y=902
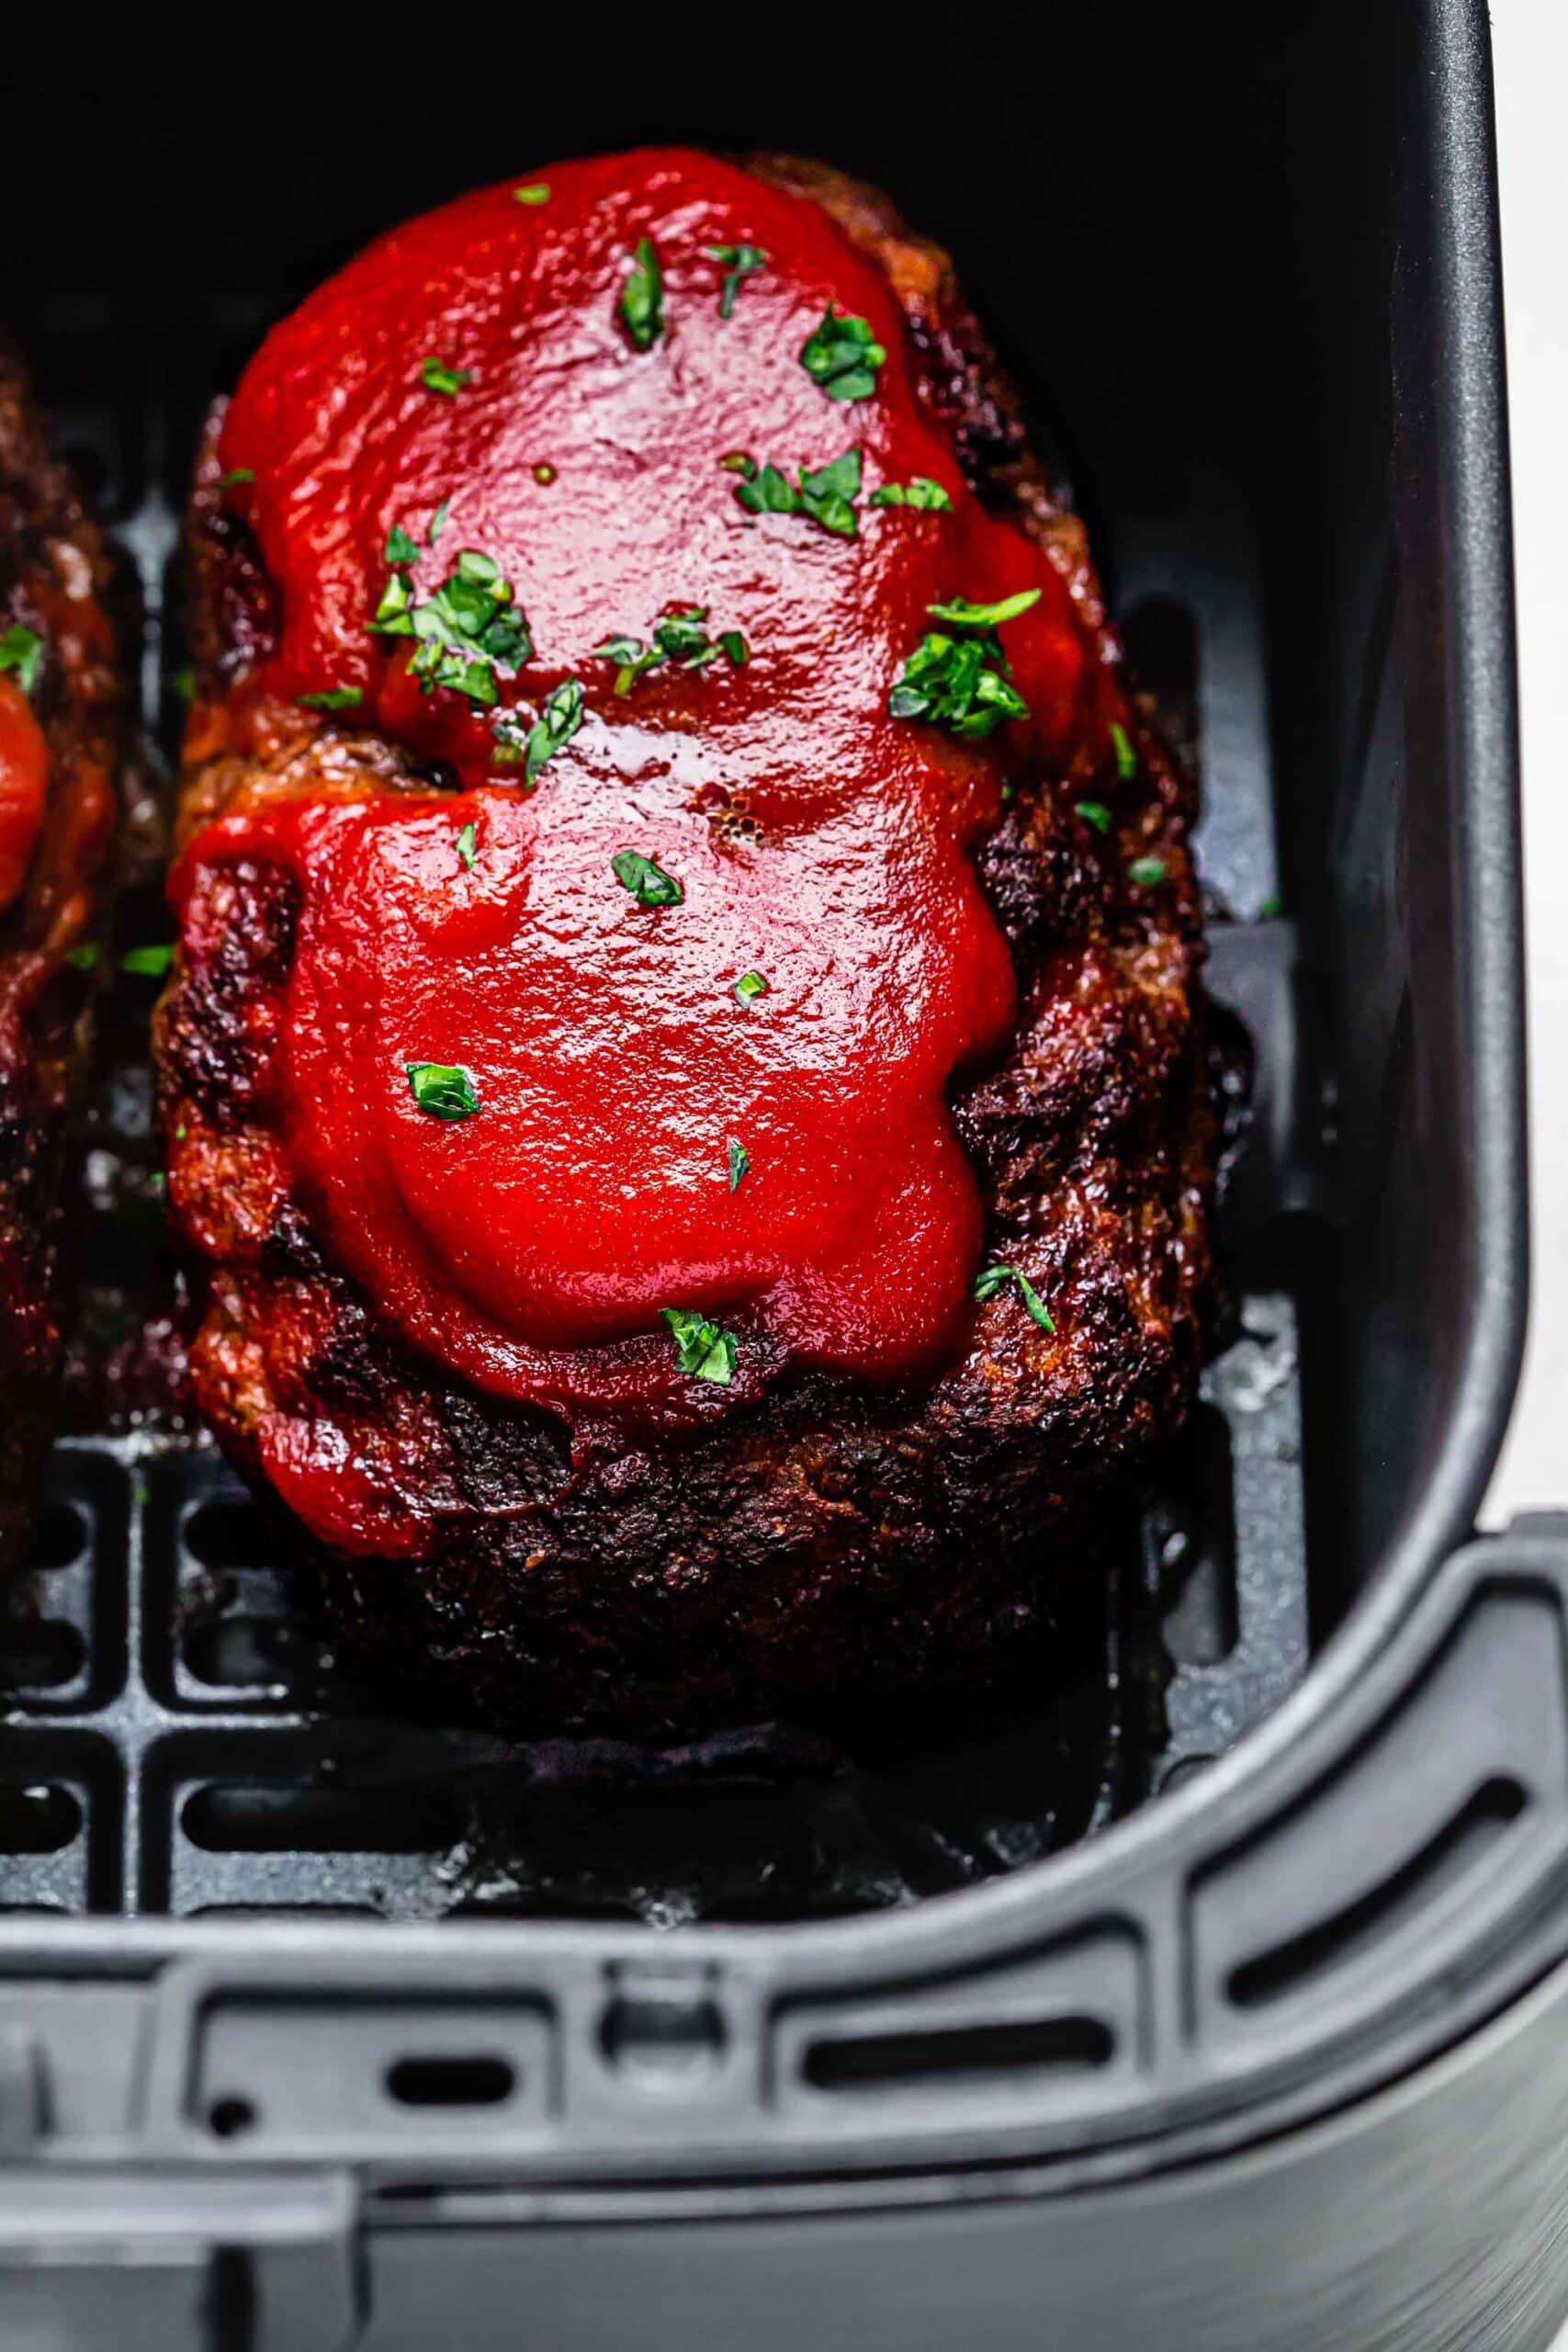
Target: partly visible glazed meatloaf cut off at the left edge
x=58 y=817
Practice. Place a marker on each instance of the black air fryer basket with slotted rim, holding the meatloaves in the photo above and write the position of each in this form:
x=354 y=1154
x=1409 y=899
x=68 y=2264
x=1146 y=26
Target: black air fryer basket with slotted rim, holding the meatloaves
x=276 y=1965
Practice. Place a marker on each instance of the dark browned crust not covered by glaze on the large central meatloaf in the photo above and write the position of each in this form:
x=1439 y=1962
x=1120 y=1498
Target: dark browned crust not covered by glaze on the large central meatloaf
x=833 y=1544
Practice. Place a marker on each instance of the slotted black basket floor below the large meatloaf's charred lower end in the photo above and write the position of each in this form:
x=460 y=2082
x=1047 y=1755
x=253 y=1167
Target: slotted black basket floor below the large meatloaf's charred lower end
x=182 y=1737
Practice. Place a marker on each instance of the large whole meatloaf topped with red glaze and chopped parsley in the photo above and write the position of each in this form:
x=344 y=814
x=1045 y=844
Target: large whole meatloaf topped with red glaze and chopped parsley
x=683 y=1076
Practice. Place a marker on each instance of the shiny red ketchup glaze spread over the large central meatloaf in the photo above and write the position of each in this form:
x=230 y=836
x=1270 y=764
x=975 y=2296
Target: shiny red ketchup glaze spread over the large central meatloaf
x=532 y=1245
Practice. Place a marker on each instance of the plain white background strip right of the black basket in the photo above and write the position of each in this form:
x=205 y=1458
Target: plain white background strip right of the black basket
x=1532 y=69
